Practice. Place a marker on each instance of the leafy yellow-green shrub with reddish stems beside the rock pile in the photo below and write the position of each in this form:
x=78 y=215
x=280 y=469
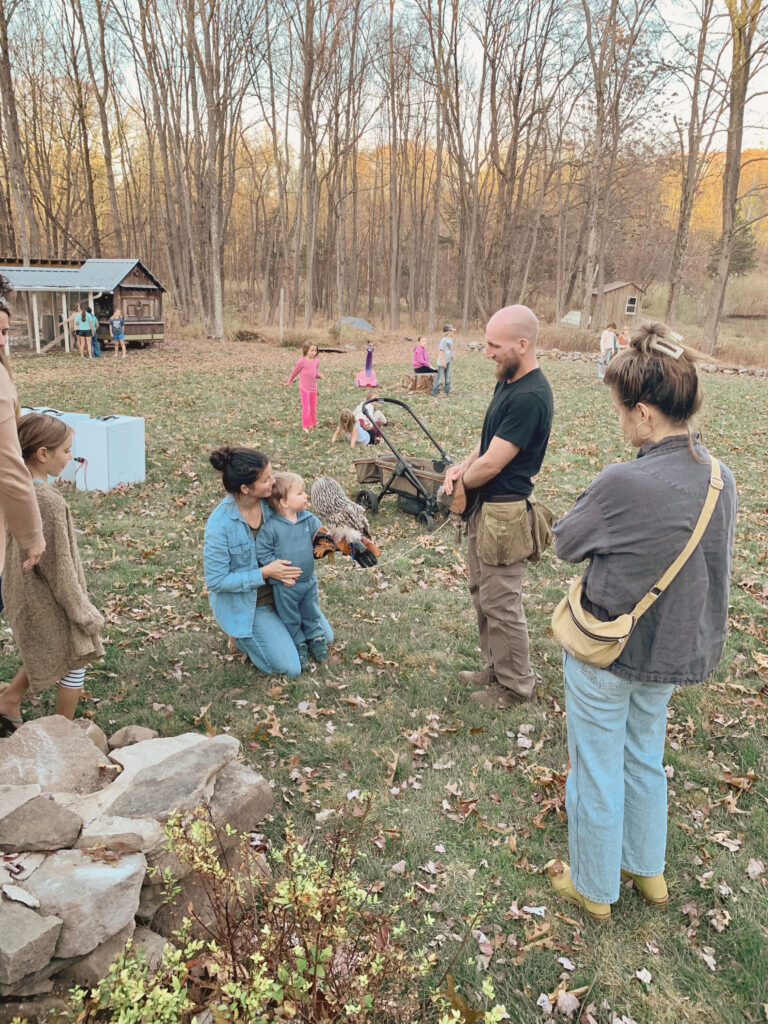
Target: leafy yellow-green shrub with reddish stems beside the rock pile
x=308 y=943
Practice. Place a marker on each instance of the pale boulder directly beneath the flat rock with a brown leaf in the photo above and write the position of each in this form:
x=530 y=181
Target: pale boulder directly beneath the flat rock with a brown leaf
x=95 y=899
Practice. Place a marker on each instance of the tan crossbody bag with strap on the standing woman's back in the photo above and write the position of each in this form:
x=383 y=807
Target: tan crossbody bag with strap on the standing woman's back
x=599 y=644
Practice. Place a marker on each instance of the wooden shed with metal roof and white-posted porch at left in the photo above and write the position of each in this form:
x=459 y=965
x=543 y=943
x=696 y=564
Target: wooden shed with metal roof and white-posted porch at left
x=53 y=290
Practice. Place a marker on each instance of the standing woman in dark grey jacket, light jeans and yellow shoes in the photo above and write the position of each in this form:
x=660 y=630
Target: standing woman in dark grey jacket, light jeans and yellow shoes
x=631 y=524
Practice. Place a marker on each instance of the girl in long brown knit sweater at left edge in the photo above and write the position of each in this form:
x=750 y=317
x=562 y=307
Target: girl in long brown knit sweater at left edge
x=56 y=627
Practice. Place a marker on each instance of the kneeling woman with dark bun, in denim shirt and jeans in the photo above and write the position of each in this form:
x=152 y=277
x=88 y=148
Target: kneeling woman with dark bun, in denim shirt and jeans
x=240 y=591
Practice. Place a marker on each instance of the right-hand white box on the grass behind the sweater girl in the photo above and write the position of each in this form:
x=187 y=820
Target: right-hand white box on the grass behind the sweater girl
x=114 y=450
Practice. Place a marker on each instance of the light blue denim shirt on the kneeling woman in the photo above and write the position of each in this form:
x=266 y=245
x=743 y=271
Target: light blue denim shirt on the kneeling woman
x=233 y=574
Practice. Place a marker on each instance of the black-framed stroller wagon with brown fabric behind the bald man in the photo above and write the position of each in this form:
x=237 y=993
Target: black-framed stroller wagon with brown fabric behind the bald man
x=415 y=482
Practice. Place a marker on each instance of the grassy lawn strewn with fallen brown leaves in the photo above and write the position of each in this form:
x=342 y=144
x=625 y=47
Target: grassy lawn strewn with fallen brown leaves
x=467 y=804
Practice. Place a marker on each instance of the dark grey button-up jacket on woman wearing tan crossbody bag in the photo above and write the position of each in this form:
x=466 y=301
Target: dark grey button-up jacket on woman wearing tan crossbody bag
x=632 y=523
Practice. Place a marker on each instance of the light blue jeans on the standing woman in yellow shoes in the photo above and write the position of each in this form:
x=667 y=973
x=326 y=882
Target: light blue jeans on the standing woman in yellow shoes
x=616 y=796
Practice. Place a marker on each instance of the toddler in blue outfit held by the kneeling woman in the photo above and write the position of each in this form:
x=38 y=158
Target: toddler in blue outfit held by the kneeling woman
x=289 y=535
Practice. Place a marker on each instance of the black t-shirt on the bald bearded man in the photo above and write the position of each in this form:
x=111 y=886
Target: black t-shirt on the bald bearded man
x=520 y=413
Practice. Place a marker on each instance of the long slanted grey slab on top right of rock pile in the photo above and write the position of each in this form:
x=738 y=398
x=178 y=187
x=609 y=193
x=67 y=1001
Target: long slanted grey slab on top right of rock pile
x=160 y=777
